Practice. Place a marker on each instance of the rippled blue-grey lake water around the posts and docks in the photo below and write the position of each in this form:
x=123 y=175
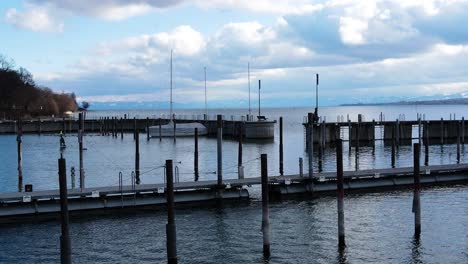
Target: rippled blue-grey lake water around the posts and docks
x=379 y=226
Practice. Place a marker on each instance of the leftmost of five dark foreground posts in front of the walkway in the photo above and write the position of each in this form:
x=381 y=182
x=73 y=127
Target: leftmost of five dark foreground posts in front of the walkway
x=65 y=245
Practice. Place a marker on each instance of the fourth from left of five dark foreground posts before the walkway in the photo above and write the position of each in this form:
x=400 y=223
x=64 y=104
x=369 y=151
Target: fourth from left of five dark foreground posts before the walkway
x=339 y=186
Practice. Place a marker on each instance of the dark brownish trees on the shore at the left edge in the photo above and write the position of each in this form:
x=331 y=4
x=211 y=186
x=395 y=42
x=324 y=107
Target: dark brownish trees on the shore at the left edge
x=21 y=97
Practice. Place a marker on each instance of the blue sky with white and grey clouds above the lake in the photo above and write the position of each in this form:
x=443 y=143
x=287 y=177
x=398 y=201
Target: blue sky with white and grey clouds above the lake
x=115 y=51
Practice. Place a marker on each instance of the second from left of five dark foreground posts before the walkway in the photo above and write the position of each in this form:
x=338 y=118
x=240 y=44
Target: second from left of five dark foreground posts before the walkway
x=171 y=244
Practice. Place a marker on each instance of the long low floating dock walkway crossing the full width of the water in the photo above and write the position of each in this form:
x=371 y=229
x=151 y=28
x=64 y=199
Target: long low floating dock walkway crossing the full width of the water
x=99 y=198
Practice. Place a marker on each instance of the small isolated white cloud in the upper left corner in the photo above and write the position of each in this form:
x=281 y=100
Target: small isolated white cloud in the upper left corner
x=34 y=18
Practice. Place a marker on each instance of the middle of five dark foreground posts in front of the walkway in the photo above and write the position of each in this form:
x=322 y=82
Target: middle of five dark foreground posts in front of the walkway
x=265 y=210
